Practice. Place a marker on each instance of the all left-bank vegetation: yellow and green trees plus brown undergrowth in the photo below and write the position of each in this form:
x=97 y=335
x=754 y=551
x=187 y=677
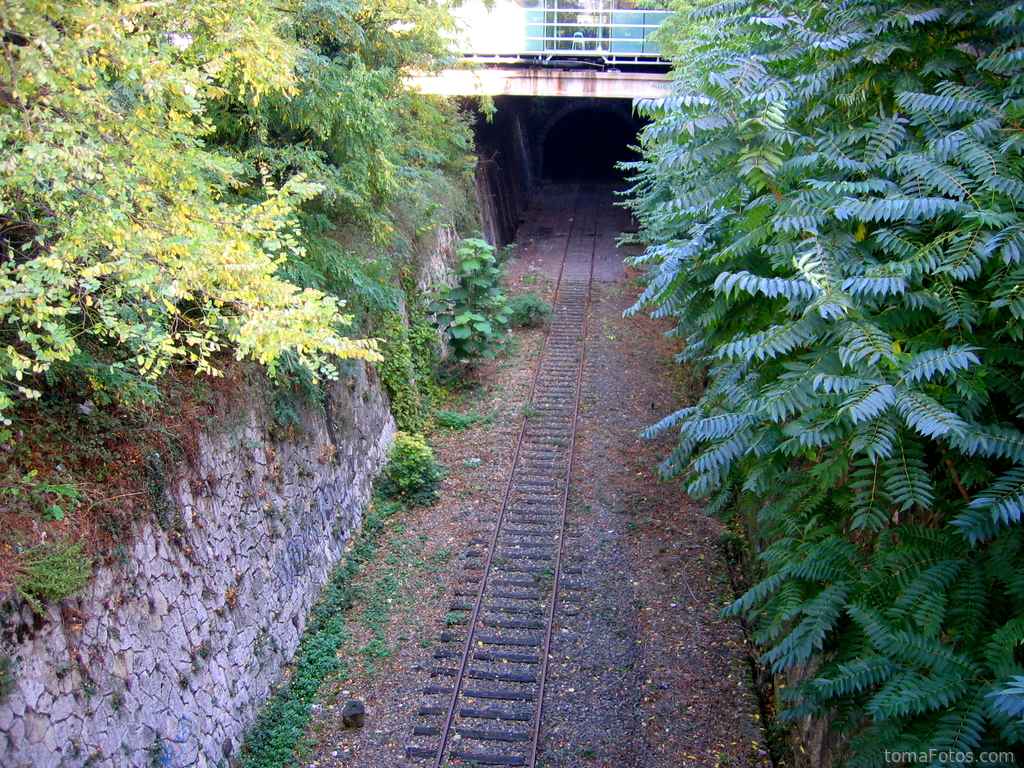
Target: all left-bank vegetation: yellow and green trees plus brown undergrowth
x=187 y=186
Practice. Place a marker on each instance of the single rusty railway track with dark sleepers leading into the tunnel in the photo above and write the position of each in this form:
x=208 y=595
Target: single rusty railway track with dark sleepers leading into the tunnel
x=486 y=702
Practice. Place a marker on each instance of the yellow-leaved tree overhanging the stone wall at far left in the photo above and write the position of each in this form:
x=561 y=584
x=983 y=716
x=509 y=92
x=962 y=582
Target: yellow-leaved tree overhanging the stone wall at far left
x=122 y=233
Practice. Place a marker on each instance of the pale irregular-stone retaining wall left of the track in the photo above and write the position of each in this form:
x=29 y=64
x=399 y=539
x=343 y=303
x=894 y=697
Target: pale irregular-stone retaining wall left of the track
x=165 y=659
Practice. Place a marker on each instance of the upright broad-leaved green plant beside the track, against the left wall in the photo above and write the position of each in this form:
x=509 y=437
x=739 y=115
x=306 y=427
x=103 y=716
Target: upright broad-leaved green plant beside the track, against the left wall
x=474 y=313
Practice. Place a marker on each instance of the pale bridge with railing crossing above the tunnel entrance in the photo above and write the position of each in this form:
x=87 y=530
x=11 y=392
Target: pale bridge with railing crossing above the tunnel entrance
x=544 y=49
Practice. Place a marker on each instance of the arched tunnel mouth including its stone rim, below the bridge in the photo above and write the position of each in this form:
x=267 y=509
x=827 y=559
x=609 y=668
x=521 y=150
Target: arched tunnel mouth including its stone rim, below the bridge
x=586 y=138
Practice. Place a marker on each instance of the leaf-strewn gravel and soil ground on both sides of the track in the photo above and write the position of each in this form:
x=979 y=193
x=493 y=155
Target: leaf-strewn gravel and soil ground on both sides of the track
x=647 y=674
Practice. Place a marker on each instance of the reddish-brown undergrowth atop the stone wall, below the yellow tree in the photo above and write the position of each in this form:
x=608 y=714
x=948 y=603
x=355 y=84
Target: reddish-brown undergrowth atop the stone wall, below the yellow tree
x=74 y=473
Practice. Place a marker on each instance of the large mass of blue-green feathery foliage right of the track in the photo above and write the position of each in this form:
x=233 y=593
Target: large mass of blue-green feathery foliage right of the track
x=833 y=199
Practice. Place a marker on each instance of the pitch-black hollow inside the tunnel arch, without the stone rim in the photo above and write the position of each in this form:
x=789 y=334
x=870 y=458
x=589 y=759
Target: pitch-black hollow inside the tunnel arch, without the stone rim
x=587 y=145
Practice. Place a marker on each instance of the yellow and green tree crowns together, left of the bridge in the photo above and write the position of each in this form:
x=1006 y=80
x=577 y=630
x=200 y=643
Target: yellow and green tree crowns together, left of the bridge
x=184 y=182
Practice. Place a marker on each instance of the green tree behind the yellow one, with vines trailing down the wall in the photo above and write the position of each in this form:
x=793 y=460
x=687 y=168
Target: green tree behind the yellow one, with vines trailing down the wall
x=392 y=165
